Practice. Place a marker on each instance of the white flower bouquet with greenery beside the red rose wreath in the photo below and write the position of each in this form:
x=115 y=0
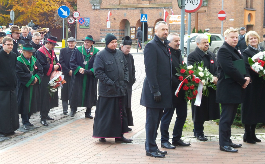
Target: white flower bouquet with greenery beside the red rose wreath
x=206 y=78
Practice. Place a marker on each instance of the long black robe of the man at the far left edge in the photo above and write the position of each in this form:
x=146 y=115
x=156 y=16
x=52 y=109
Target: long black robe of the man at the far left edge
x=9 y=120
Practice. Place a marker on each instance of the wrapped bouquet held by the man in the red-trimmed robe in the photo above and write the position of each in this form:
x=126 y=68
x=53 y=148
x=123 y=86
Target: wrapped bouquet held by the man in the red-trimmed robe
x=56 y=81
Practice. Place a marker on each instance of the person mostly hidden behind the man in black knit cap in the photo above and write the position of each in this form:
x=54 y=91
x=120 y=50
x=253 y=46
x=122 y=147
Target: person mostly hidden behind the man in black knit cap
x=125 y=48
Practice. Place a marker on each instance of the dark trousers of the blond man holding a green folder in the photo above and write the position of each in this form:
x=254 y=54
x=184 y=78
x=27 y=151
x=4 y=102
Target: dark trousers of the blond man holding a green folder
x=226 y=120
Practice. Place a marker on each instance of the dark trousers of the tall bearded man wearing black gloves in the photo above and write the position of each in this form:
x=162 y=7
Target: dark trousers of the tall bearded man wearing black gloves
x=153 y=117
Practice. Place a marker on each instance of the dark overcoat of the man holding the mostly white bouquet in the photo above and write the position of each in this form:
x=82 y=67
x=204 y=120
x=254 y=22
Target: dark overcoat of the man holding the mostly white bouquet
x=209 y=109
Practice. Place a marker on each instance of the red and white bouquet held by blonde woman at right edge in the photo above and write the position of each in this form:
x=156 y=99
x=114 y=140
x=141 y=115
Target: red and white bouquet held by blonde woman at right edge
x=257 y=63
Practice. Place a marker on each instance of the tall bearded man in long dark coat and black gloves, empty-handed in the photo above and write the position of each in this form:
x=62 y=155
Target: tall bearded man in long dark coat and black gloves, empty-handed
x=156 y=93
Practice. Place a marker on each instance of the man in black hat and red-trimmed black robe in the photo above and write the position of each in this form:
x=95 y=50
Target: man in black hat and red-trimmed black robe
x=47 y=58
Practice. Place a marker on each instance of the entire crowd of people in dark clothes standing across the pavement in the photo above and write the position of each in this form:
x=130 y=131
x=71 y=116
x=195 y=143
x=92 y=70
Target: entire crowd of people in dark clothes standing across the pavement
x=104 y=79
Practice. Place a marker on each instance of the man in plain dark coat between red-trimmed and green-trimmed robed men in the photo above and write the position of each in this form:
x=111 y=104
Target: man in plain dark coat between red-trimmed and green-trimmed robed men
x=64 y=59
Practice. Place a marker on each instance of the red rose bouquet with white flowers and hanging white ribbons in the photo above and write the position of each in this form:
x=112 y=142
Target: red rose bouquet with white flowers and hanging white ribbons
x=191 y=84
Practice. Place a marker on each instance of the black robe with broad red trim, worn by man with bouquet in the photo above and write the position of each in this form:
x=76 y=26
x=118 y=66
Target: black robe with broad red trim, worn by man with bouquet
x=47 y=60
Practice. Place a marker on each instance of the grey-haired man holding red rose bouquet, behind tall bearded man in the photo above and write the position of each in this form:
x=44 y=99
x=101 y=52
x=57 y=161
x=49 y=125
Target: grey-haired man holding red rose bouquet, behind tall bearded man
x=179 y=103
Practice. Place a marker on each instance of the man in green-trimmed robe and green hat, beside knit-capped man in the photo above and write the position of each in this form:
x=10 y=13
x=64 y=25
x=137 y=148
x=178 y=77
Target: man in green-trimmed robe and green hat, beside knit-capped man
x=84 y=84
